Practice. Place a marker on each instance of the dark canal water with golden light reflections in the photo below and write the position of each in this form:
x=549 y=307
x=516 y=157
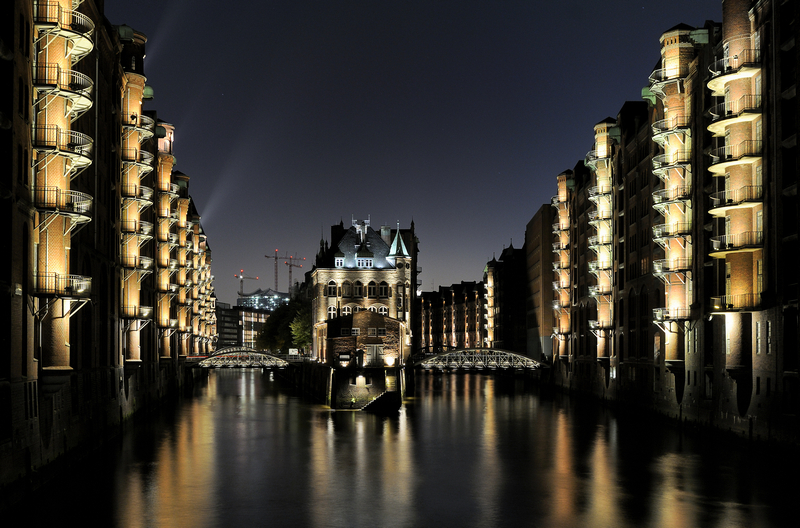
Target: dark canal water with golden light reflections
x=464 y=450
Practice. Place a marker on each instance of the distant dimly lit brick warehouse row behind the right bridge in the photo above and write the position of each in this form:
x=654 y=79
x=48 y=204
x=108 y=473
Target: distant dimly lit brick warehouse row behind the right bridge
x=453 y=317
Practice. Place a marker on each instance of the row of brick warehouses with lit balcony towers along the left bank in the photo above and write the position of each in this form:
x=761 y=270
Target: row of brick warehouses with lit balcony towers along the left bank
x=89 y=329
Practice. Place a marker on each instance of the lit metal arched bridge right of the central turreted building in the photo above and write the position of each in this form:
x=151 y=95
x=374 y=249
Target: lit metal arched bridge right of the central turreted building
x=476 y=358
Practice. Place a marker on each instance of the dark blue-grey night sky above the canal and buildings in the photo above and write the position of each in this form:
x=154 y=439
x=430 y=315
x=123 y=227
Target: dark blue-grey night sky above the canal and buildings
x=292 y=115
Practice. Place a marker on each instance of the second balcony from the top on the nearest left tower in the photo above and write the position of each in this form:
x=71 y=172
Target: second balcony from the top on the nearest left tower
x=73 y=86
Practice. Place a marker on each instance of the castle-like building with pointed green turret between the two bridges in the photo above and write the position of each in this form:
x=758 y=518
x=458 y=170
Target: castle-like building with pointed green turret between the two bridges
x=363 y=269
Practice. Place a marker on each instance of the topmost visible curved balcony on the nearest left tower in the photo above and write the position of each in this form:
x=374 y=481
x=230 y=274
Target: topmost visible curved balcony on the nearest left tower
x=51 y=19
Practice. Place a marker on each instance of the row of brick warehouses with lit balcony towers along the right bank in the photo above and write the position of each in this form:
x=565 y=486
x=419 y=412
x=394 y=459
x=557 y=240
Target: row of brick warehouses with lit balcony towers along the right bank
x=690 y=211
